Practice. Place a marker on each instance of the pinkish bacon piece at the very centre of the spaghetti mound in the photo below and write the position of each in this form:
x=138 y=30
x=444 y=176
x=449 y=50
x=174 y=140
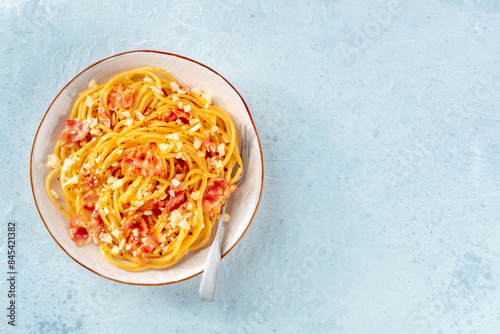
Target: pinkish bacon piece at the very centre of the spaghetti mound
x=142 y=160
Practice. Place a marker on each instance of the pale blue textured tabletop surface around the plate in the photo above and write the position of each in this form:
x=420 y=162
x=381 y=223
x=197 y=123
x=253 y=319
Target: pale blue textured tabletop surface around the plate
x=379 y=123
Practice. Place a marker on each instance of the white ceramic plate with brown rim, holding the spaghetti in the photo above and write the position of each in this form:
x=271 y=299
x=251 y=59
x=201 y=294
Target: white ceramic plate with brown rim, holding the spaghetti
x=242 y=205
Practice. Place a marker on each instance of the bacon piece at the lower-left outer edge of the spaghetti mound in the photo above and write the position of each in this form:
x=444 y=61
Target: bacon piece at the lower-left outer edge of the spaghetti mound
x=85 y=227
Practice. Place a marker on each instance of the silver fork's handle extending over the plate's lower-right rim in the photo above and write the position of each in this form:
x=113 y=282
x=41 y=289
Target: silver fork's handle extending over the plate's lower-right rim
x=208 y=285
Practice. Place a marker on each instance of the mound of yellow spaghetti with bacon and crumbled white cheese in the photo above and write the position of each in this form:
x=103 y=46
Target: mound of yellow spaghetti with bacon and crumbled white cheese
x=145 y=166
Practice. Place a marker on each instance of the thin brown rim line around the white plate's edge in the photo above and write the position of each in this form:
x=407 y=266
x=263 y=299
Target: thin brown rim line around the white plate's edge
x=94 y=64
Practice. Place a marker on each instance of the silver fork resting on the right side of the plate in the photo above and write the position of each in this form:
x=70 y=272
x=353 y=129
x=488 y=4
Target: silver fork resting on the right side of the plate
x=208 y=284
